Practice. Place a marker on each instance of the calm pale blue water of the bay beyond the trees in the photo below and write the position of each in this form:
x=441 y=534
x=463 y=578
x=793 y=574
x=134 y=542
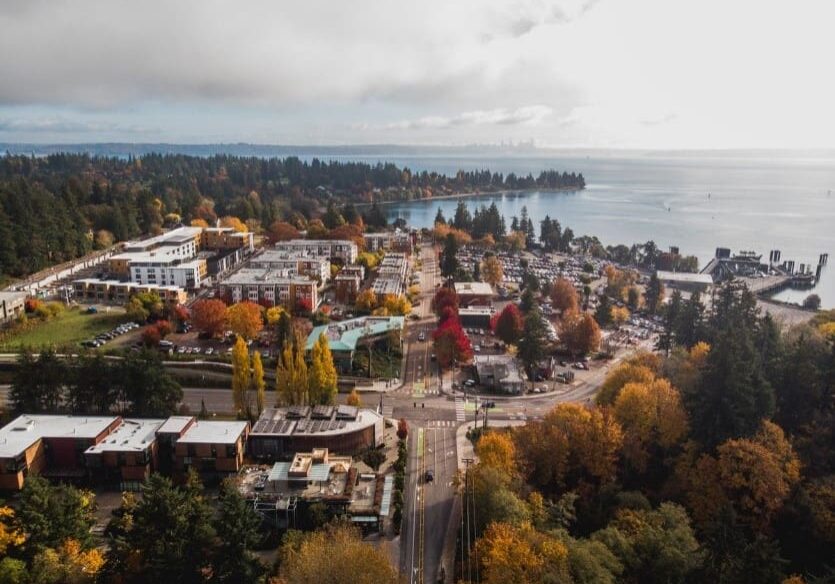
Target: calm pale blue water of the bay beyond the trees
x=755 y=203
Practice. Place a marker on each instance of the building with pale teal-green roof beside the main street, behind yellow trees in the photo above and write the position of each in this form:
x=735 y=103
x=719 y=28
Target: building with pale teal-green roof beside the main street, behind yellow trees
x=345 y=337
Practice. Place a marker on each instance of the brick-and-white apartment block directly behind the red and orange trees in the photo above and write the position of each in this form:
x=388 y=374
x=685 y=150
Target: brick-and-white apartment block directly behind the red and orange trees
x=268 y=287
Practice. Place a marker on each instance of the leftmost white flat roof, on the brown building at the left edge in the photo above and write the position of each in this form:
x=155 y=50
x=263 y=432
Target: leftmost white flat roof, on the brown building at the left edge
x=25 y=430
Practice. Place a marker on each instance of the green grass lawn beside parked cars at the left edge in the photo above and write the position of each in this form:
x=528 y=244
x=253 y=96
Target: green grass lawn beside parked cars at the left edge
x=69 y=328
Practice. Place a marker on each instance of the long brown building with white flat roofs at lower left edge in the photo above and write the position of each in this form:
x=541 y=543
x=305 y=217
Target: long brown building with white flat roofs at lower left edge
x=112 y=449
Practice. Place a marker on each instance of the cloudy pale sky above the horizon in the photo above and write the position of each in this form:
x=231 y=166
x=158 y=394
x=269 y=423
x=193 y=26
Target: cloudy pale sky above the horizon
x=666 y=74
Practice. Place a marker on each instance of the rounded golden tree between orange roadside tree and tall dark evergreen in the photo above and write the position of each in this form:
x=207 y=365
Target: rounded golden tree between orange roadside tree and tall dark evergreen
x=651 y=416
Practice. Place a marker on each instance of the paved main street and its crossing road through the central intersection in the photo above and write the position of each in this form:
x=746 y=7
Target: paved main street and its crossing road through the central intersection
x=434 y=417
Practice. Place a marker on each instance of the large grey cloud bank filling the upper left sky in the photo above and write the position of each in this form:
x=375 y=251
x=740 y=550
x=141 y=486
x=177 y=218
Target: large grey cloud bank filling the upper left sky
x=106 y=54
